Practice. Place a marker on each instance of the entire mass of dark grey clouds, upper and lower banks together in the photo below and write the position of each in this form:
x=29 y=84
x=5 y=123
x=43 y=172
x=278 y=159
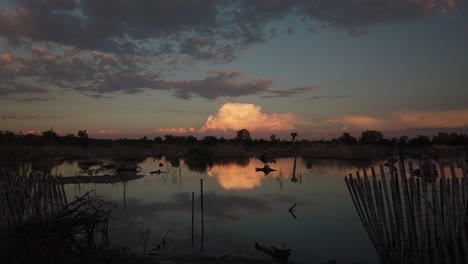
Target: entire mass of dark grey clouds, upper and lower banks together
x=124 y=46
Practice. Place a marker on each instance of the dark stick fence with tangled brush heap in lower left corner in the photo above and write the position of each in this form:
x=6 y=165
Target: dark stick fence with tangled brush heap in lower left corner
x=39 y=225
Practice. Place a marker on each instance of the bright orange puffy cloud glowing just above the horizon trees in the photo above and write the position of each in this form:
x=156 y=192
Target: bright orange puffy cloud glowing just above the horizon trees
x=236 y=116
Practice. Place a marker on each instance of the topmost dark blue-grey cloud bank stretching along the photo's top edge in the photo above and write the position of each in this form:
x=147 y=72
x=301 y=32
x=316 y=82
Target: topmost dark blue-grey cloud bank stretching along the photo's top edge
x=204 y=29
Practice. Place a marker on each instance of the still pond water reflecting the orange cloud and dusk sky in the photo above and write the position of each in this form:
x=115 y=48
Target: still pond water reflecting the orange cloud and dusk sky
x=241 y=206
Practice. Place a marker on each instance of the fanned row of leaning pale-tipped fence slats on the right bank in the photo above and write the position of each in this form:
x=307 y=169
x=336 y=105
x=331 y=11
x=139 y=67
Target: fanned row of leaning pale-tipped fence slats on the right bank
x=413 y=219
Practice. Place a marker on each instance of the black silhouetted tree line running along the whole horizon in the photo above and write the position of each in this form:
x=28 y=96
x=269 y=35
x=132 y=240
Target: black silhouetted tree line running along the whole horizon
x=242 y=136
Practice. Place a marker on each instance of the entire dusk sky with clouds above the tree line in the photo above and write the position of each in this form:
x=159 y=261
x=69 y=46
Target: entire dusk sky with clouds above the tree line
x=128 y=68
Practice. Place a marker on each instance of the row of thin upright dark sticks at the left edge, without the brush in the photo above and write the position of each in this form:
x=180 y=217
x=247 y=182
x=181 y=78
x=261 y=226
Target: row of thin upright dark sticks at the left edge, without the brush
x=28 y=194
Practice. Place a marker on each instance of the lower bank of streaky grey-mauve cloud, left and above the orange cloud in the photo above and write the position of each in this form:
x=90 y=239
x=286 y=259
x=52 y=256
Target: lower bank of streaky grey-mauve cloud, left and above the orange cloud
x=100 y=75
